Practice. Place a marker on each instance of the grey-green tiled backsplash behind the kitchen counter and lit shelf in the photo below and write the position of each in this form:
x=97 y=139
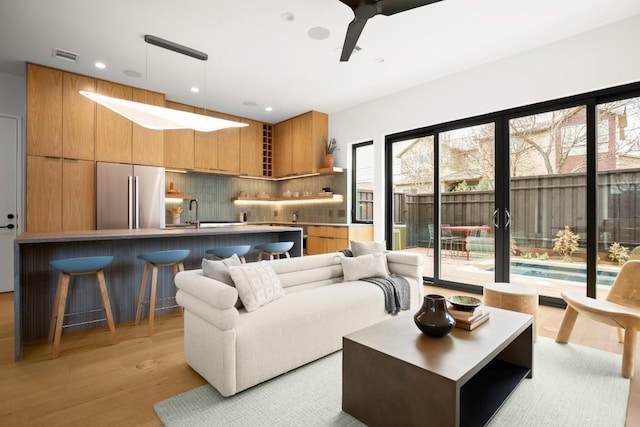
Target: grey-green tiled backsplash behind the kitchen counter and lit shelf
x=214 y=193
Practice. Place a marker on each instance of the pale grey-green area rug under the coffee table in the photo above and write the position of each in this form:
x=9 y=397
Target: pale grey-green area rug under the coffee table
x=572 y=385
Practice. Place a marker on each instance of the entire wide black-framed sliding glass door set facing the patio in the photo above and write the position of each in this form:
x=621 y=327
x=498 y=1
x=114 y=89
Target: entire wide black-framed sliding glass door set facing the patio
x=544 y=196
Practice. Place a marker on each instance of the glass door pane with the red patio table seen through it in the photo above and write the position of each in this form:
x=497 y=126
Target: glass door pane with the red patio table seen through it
x=467 y=202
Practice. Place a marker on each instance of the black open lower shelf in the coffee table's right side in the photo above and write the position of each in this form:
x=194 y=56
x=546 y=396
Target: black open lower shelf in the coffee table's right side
x=485 y=393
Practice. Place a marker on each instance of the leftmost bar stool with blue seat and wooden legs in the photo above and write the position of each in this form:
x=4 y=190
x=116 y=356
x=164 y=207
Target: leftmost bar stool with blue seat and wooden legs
x=76 y=267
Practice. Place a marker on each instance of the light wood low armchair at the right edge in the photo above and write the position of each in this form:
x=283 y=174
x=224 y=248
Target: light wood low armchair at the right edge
x=621 y=309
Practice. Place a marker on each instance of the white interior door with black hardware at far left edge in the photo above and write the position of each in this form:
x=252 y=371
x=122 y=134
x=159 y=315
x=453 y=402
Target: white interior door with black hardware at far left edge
x=9 y=172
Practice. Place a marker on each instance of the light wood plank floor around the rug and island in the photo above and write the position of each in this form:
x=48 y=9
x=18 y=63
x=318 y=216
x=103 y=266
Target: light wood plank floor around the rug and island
x=94 y=383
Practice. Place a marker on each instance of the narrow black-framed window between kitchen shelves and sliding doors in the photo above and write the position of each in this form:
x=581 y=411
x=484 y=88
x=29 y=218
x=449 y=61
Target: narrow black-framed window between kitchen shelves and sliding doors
x=362 y=194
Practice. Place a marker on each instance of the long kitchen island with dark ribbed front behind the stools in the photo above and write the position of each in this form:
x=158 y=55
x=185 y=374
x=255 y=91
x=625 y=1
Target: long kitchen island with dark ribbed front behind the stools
x=35 y=279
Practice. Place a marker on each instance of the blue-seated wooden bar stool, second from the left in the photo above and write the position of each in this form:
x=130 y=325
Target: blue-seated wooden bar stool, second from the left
x=172 y=258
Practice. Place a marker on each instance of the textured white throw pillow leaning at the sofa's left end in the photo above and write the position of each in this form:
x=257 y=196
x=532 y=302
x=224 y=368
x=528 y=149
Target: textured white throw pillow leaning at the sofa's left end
x=257 y=284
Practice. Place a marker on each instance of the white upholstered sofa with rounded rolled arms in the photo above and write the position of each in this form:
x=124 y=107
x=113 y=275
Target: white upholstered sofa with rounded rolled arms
x=234 y=349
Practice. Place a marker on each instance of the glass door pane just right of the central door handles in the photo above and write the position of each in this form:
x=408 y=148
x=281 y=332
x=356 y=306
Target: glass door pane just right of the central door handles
x=548 y=200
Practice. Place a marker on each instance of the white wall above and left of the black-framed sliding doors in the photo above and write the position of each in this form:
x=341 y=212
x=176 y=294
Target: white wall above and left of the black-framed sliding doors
x=598 y=59
